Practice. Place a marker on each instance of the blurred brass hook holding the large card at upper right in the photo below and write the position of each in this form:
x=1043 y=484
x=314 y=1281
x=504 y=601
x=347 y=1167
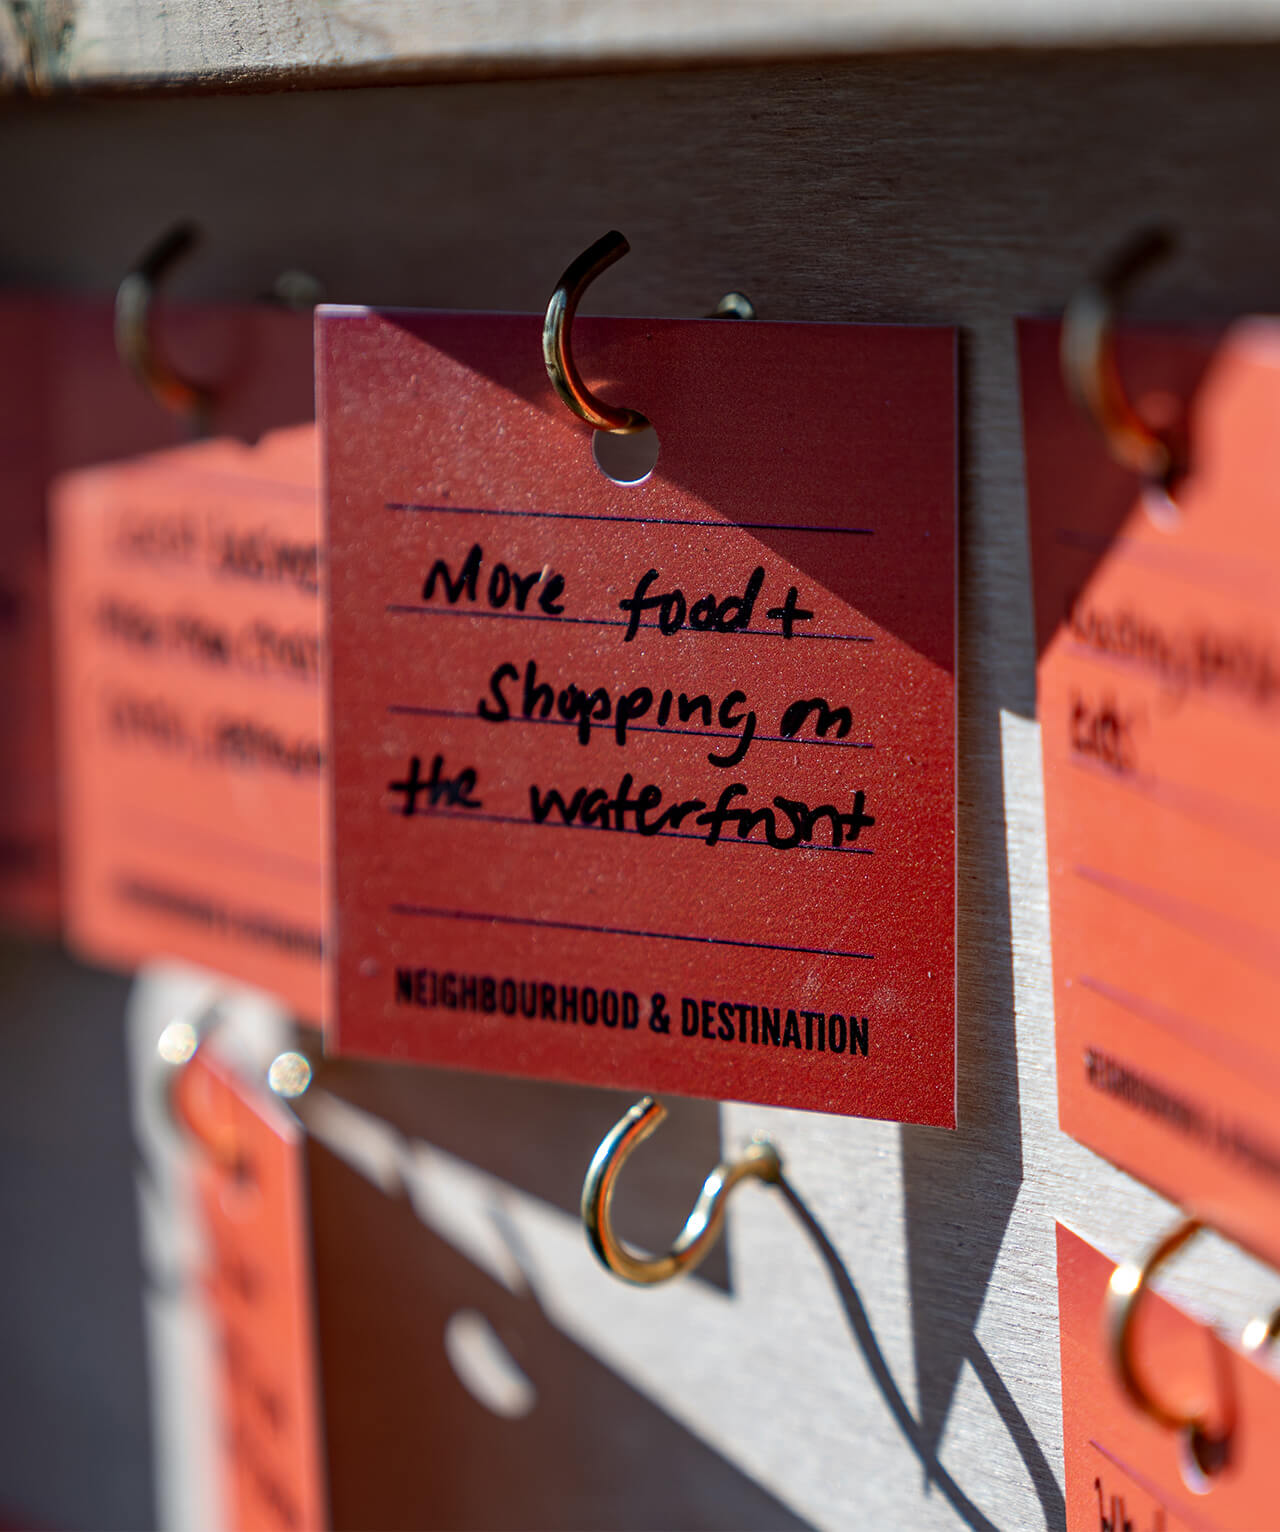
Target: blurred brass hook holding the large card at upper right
x=1091 y=370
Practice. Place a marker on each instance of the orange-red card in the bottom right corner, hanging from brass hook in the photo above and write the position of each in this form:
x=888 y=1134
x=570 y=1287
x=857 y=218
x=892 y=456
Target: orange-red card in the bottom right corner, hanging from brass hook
x=1126 y=1473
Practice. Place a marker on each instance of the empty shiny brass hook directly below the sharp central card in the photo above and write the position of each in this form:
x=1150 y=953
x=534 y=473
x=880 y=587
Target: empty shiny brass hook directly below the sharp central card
x=702 y=1228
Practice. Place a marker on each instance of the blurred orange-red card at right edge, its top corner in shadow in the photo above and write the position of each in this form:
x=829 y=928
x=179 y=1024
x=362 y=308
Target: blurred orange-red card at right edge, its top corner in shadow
x=1160 y=707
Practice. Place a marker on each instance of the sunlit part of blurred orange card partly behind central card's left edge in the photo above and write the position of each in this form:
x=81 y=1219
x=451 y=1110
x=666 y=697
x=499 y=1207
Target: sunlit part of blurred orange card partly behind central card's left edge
x=191 y=719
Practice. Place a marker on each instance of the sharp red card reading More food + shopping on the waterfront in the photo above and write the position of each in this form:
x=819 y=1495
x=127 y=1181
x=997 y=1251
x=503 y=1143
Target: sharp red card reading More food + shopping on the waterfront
x=647 y=785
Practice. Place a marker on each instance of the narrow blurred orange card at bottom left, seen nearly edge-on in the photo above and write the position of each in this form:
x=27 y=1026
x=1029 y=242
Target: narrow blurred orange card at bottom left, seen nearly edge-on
x=253 y=1194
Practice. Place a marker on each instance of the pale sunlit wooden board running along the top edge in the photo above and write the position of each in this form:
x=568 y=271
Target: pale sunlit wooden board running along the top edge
x=51 y=45
